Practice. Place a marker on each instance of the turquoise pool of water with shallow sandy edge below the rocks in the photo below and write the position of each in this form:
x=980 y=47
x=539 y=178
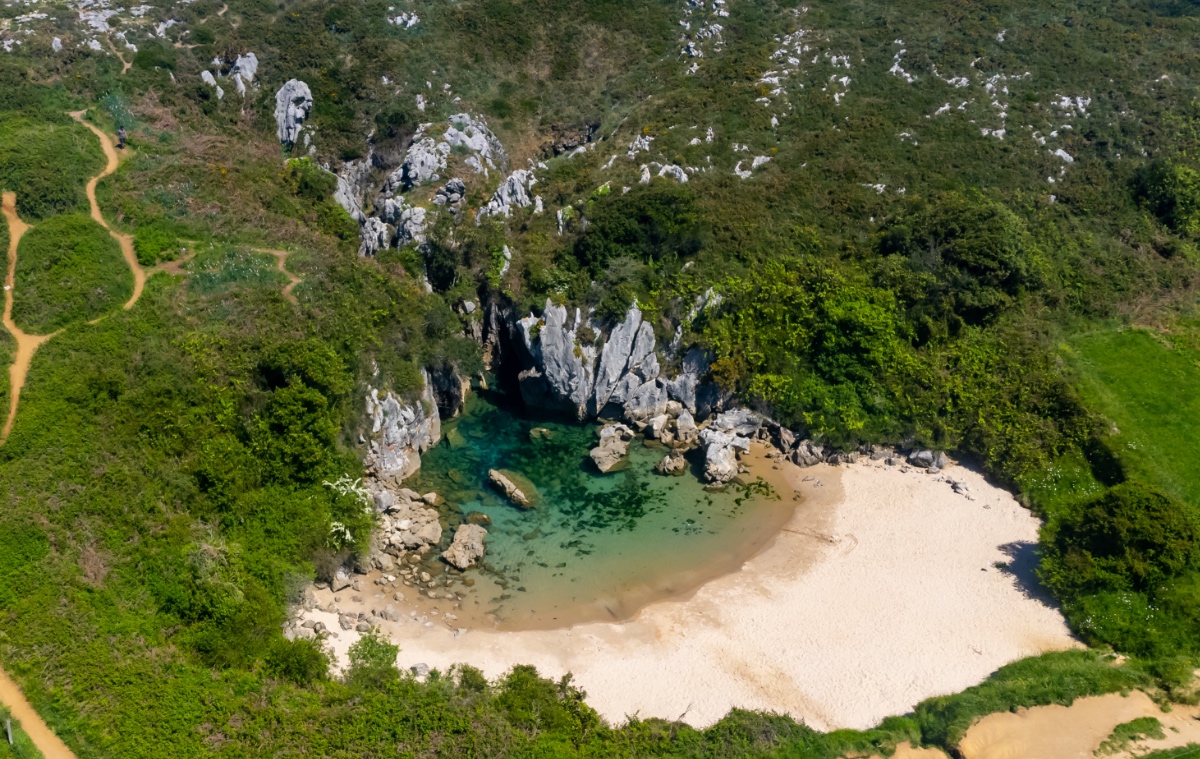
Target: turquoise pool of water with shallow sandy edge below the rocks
x=595 y=547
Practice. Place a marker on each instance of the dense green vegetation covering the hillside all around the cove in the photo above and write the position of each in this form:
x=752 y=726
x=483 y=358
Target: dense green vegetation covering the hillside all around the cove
x=890 y=276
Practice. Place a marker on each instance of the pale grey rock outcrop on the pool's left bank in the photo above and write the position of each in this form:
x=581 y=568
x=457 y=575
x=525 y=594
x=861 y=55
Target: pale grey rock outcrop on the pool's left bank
x=401 y=433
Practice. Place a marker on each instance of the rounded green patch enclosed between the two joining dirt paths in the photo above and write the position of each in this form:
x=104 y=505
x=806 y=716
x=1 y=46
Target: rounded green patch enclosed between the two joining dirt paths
x=69 y=270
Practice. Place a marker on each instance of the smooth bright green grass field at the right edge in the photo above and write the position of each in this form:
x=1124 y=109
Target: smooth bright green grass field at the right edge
x=1151 y=393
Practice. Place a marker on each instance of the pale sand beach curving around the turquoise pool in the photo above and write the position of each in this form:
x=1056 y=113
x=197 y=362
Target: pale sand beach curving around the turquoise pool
x=879 y=594
